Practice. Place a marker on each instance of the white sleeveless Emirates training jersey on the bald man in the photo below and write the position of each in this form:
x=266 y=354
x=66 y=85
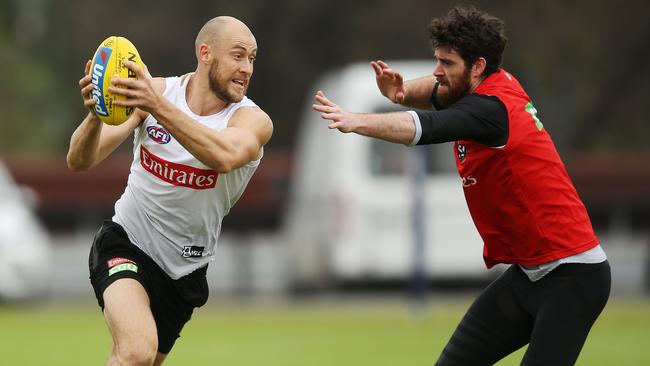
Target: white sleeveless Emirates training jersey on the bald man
x=173 y=204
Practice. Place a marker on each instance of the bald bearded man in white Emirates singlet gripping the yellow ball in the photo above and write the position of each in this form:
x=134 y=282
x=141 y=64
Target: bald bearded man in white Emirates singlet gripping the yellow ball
x=198 y=140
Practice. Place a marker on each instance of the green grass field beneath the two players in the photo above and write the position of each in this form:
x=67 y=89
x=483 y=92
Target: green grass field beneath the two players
x=368 y=332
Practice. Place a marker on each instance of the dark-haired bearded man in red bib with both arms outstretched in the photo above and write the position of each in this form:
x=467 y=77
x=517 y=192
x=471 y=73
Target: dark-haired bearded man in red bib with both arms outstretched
x=519 y=194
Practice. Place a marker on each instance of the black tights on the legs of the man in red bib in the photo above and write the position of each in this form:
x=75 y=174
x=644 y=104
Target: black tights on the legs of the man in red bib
x=553 y=316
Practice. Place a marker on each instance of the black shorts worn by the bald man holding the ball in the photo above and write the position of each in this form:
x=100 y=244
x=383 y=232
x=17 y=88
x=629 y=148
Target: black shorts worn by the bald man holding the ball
x=113 y=257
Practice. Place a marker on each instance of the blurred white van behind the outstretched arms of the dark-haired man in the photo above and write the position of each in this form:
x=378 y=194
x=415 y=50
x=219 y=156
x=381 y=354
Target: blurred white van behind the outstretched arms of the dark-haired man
x=349 y=218
